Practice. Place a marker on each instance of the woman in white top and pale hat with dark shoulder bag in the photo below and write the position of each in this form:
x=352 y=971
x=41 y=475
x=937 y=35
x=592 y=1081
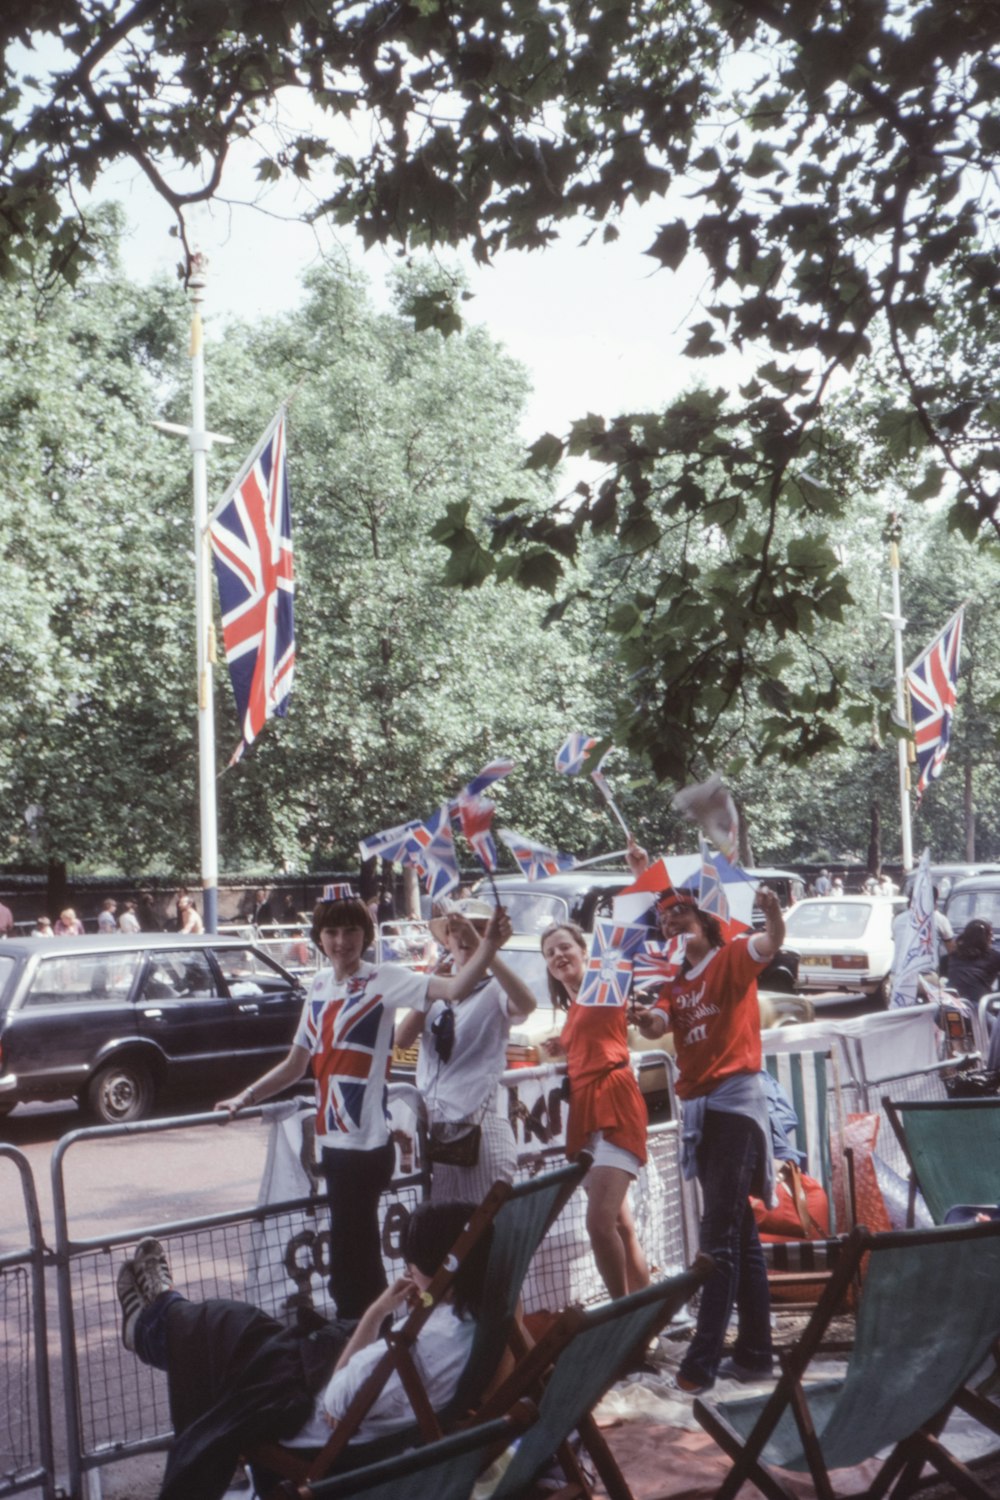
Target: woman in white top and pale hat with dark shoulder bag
x=463 y=1055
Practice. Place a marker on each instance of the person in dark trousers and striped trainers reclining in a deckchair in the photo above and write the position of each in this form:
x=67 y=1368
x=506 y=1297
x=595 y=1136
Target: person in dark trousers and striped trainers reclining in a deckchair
x=238 y=1378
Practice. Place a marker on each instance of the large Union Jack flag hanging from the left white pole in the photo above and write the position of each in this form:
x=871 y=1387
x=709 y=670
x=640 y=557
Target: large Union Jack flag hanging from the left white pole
x=253 y=545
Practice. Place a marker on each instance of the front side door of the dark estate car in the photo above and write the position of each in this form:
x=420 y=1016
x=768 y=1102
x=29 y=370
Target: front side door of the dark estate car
x=266 y=1003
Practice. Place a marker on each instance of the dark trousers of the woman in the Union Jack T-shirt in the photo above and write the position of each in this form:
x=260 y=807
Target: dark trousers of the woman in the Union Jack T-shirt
x=356 y=1181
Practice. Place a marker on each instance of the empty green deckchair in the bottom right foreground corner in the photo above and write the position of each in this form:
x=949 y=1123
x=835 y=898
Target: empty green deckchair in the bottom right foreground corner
x=927 y=1318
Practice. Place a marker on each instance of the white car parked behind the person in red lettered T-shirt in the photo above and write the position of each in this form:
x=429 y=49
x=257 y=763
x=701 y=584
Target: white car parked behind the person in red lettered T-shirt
x=845 y=943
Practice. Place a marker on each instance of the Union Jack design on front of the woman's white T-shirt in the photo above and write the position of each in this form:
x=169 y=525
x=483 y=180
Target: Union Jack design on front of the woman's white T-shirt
x=346 y=1039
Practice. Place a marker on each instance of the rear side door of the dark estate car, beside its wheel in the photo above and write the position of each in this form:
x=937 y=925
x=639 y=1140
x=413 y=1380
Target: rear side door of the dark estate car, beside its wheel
x=184 y=1010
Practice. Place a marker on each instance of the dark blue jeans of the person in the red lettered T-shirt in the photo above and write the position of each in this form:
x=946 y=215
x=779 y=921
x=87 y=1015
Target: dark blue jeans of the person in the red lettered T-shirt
x=728 y=1156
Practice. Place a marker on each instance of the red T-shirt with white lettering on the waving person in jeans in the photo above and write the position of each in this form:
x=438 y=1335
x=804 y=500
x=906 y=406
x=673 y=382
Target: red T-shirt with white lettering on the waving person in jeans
x=716 y=1018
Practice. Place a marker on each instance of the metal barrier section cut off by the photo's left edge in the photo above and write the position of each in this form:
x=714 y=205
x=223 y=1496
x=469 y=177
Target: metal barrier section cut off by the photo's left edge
x=26 y=1420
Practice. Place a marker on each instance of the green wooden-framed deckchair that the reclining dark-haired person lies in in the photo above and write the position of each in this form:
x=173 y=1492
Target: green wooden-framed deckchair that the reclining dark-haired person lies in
x=521 y=1217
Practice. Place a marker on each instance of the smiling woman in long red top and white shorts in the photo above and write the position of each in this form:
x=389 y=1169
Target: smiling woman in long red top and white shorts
x=608 y=1115
